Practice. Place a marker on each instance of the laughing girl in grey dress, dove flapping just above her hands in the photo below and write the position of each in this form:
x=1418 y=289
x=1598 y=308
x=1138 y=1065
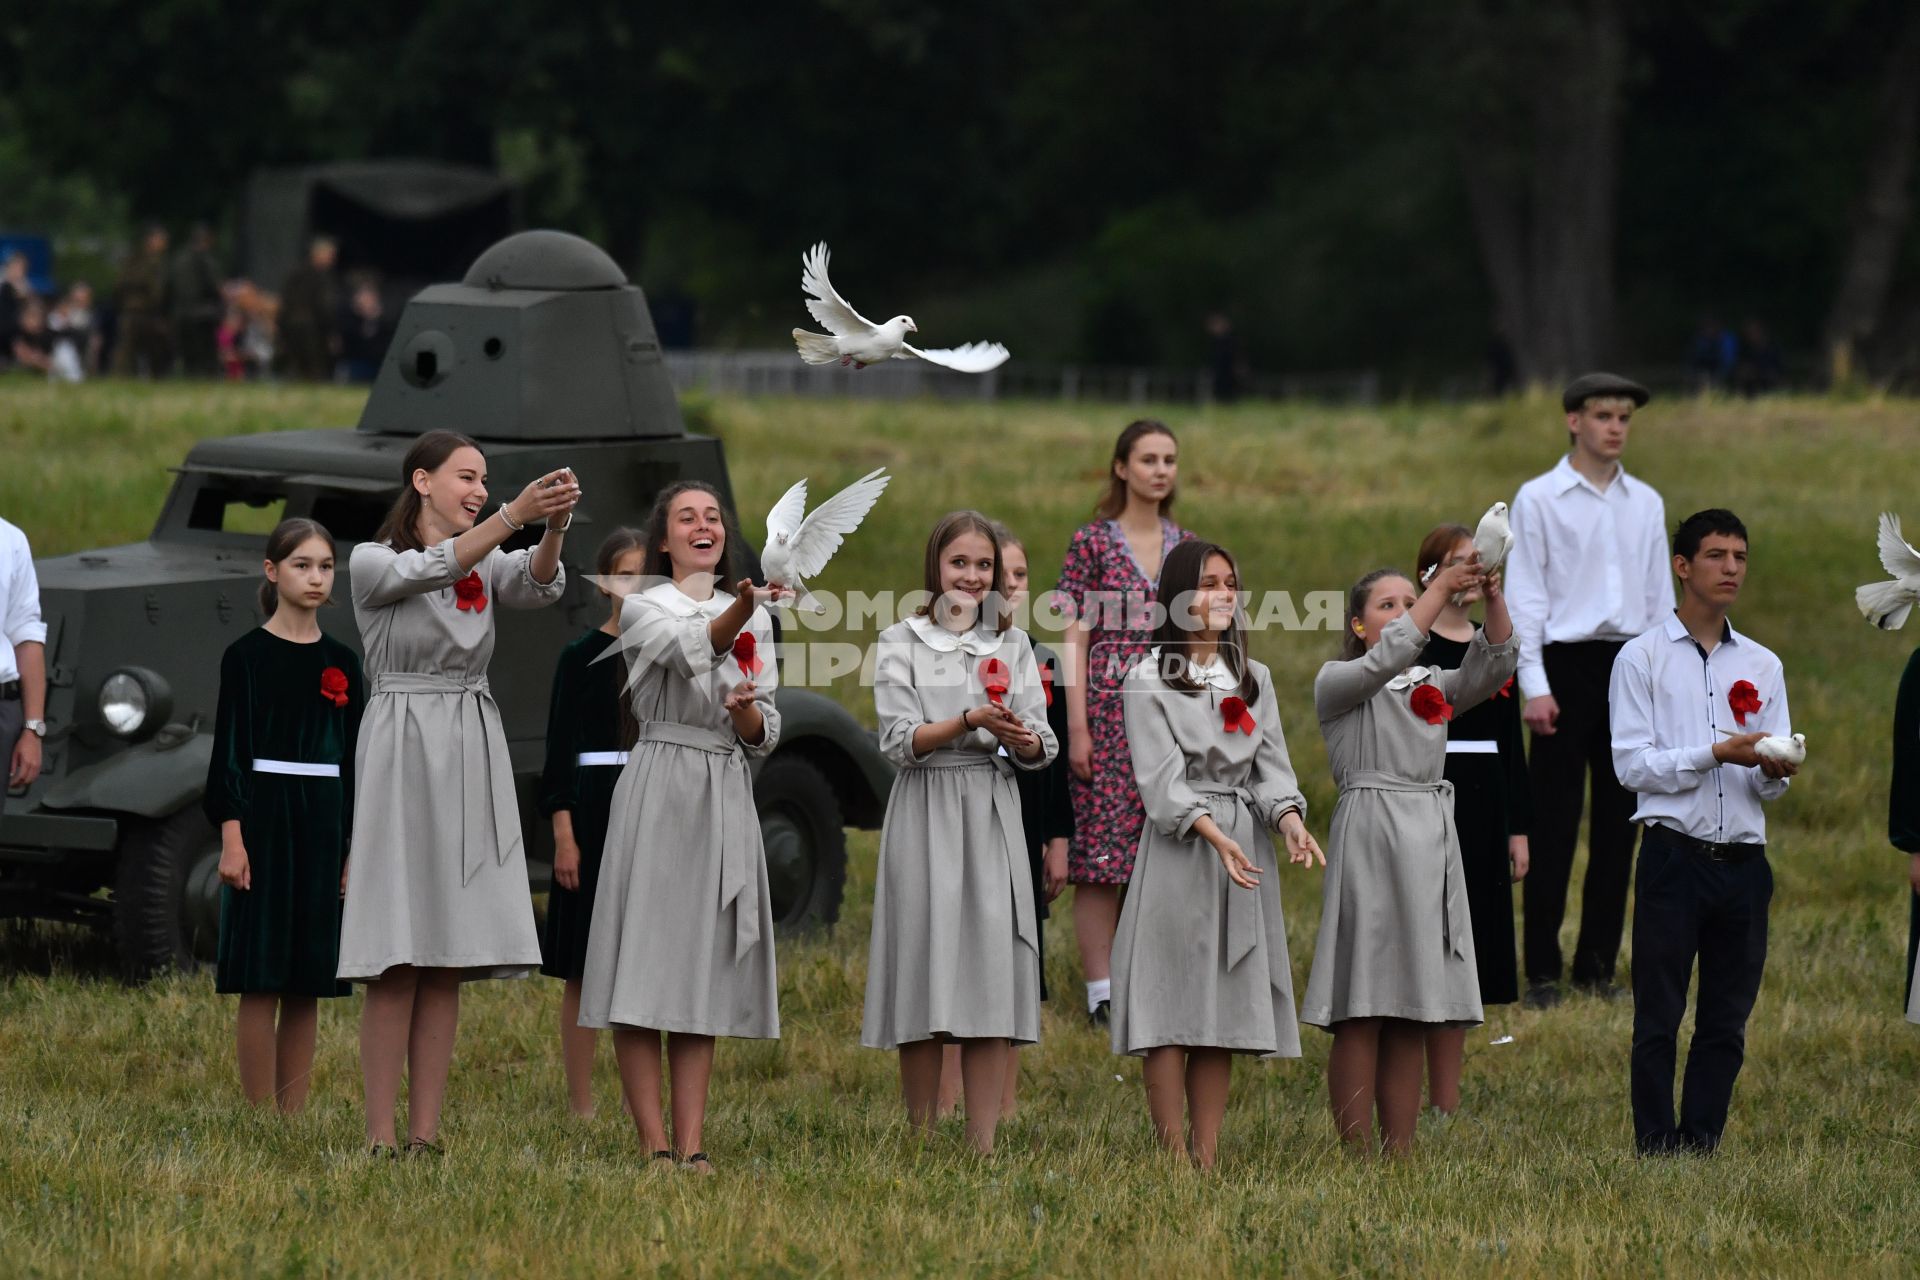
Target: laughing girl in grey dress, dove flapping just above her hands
x=683 y=936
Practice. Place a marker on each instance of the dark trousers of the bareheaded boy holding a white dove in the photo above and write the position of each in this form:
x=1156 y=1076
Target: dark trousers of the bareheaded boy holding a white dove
x=1689 y=905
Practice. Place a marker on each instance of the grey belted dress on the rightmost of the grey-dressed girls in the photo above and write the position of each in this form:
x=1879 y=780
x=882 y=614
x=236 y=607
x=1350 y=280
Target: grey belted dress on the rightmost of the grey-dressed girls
x=1397 y=936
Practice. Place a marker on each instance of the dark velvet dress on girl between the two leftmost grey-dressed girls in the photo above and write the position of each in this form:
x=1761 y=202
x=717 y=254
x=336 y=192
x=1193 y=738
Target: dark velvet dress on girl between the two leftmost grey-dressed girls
x=585 y=717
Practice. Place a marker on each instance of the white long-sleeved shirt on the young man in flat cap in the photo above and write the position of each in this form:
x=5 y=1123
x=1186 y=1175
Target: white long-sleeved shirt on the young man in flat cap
x=1587 y=563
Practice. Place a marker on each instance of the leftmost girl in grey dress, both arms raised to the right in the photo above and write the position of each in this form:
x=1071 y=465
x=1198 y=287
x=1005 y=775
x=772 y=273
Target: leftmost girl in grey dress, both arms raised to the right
x=437 y=889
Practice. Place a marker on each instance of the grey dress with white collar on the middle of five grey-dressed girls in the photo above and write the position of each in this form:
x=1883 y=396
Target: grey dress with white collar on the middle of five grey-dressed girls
x=955 y=947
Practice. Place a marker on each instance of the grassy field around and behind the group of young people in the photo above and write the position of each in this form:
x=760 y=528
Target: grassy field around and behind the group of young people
x=128 y=1150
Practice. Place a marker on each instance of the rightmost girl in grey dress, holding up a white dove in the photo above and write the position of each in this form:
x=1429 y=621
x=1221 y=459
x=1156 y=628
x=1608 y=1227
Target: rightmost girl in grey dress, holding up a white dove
x=1395 y=953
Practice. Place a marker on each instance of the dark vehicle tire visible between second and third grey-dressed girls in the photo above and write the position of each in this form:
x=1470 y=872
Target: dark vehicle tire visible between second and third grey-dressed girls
x=805 y=841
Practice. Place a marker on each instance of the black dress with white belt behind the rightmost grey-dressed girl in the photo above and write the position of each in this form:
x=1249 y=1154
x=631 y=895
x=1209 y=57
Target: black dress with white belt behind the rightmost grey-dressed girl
x=1493 y=799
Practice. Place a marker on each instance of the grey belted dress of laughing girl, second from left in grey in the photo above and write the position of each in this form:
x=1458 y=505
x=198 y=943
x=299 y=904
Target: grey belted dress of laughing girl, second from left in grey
x=683 y=934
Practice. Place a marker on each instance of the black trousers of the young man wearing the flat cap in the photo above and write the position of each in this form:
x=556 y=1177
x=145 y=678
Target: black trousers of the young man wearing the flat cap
x=1562 y=765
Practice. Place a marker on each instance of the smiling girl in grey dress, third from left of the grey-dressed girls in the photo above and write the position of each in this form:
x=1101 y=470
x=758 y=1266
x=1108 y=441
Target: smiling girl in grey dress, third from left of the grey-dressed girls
x=955 y=955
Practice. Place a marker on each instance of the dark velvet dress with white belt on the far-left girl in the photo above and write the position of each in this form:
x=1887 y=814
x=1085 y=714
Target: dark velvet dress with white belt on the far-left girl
x=283 y=936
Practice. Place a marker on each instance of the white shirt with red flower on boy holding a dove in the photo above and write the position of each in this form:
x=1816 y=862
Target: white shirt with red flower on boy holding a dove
x=1669 y=705
